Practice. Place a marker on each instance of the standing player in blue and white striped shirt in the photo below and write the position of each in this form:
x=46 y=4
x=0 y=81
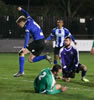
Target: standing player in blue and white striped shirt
x=60 y=32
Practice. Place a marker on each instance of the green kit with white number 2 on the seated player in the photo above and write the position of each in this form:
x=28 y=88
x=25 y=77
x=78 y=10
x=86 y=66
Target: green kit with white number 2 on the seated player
x=45 y=82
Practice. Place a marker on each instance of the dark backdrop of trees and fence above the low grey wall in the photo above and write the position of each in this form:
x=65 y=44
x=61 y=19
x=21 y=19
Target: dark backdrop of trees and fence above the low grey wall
x=46 y=12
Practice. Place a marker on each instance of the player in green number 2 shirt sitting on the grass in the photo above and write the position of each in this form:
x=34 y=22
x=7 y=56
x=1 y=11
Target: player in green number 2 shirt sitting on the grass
x=45 y=82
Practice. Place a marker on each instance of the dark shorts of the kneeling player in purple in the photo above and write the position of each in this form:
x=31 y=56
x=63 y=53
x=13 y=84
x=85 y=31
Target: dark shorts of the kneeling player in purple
x=71 y=74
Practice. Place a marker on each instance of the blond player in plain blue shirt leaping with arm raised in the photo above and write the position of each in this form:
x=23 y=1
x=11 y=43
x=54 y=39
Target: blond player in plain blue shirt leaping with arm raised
x=34 y=48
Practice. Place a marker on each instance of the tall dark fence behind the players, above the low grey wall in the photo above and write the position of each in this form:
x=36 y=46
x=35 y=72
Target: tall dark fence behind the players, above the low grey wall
x=80 y=28
